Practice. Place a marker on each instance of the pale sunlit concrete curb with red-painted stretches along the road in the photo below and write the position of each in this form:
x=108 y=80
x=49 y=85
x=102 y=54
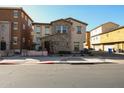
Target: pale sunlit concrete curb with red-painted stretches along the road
x=30 y=61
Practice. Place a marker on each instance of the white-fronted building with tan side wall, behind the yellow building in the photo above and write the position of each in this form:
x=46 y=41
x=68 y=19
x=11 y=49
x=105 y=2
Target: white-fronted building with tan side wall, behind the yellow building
x=95 y=37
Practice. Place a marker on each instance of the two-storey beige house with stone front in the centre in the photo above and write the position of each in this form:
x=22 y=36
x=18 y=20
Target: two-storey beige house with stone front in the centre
x=61 y=35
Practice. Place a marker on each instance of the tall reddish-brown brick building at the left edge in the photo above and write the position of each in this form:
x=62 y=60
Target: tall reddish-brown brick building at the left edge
x=15 y=29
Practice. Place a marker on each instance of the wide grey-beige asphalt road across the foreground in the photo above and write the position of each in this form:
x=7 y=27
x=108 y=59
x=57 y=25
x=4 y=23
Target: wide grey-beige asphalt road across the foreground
x=62 y=76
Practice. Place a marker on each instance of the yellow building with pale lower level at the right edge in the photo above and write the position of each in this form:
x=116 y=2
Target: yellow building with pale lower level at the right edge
x=113 y=39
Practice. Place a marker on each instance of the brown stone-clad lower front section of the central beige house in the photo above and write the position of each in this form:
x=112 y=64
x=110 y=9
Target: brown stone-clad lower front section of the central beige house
x=57 y=42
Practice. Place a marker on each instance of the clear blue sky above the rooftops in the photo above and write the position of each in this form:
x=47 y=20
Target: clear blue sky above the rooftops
x=94 y=15
